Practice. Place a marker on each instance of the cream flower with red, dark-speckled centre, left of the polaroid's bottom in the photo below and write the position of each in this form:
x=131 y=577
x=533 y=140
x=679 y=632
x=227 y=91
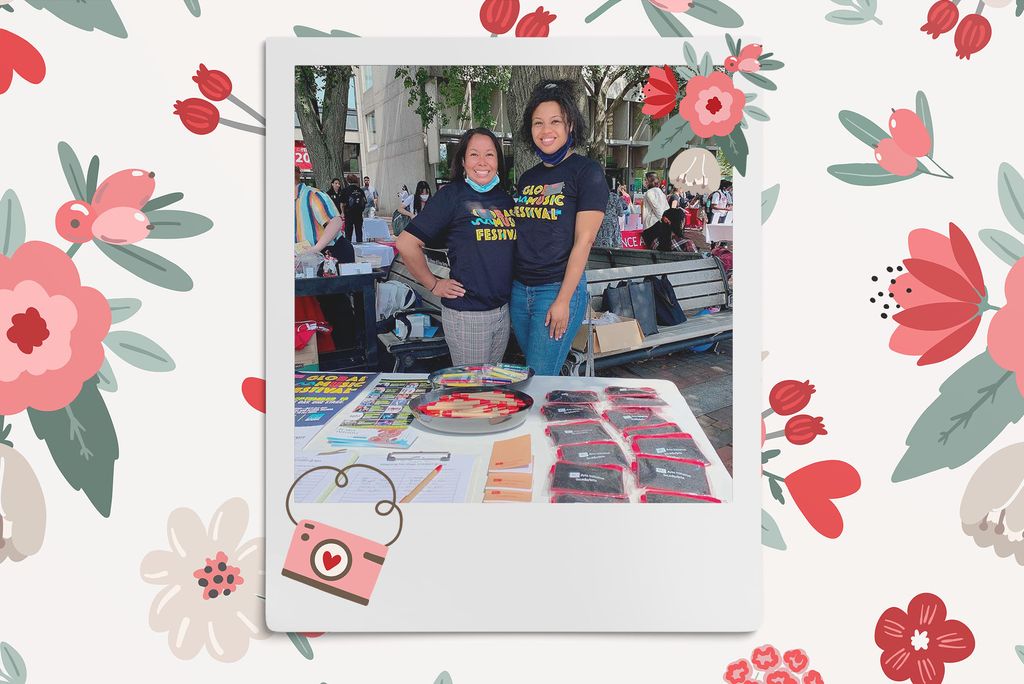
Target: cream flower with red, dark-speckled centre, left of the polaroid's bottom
x=212 y=582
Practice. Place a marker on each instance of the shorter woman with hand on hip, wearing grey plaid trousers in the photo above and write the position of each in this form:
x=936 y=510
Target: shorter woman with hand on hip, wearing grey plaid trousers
x=473 y=218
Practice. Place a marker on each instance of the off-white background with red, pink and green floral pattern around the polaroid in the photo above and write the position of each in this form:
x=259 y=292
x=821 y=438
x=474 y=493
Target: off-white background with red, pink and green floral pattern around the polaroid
x=131 y=280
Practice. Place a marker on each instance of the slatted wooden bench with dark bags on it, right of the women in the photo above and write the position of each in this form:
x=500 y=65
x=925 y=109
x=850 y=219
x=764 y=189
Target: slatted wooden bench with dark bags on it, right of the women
x=699 y=284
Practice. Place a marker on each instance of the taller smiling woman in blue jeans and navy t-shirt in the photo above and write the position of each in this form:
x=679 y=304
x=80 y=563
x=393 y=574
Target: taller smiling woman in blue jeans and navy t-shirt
x=560 y=208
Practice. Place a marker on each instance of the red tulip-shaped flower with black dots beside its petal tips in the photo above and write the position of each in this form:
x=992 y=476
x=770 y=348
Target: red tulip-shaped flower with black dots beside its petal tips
x=942 y=296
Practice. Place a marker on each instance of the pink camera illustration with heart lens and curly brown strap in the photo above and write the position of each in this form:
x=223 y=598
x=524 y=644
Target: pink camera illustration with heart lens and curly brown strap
x=334 y=561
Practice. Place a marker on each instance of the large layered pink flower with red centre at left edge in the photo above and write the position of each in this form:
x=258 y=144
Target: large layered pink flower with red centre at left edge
x=52 y=330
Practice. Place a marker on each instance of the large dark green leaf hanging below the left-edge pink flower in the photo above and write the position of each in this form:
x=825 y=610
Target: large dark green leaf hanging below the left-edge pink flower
x=83 y=444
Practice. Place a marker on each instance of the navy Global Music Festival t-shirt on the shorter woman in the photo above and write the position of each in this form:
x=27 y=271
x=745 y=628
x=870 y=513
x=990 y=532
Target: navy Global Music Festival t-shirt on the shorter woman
x=480 y=233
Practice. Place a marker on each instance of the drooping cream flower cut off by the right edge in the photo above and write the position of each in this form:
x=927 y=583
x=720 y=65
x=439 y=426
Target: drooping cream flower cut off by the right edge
x=993 y=509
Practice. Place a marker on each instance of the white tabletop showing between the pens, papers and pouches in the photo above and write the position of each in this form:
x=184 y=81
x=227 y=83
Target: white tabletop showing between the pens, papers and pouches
x=544 y=452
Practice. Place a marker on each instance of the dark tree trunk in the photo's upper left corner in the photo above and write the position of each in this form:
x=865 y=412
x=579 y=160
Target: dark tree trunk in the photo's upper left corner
x=324 y=129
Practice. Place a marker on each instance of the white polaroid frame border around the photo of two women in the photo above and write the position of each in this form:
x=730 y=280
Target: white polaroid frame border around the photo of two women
x=534 y=568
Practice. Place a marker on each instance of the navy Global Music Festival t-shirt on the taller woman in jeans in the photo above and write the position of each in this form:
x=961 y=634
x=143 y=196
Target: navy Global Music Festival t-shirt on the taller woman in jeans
x=545 y=211
